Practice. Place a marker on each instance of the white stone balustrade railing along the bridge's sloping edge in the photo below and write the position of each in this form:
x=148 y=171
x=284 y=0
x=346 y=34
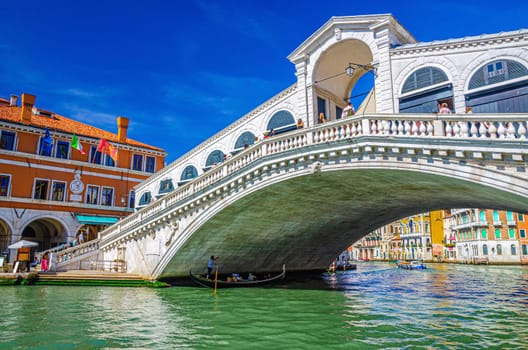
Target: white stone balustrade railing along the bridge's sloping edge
x=484 y=126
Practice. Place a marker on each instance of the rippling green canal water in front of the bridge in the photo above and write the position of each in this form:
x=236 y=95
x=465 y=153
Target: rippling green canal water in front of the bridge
x=375 y=307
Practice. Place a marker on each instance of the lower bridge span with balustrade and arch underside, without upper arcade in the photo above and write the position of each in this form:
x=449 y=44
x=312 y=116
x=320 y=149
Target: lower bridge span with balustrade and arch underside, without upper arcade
x=302 y=197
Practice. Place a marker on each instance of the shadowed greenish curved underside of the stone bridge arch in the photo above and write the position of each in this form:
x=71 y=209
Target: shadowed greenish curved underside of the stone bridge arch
x=305 y=222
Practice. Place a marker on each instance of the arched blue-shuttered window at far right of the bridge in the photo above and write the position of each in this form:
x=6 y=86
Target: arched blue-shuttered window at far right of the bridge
x=500 y=86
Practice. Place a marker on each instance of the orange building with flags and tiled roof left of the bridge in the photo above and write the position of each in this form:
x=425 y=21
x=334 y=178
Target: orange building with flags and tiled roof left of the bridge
x=50 y=191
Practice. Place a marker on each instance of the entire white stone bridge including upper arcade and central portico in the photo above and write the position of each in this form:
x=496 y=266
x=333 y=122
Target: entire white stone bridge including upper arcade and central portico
x=302 y=196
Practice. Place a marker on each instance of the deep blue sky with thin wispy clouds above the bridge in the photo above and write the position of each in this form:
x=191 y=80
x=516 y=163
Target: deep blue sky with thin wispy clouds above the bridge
x=183 y=70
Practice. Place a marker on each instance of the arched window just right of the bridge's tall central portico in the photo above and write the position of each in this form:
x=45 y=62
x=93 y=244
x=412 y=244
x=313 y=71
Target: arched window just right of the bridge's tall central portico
x=424 y=89
